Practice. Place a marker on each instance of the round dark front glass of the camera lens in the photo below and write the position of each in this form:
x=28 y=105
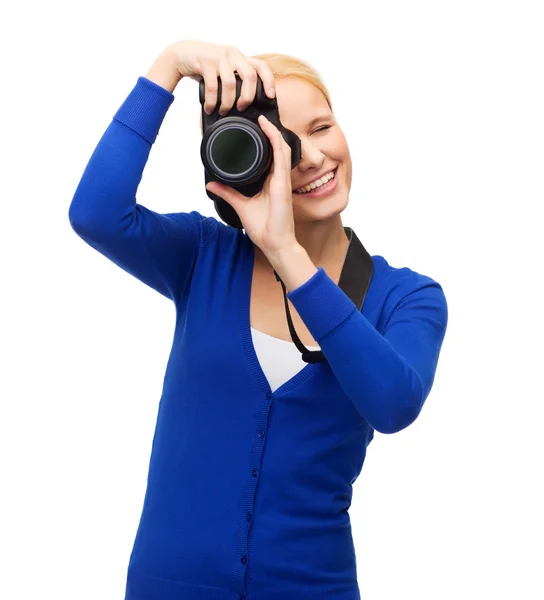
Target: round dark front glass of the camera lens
x=233 y=151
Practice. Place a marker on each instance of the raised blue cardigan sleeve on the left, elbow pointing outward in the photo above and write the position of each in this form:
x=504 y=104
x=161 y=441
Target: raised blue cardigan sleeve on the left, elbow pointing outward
x=158 y=249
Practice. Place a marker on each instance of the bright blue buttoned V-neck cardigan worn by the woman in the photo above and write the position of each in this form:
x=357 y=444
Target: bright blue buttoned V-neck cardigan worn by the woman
x=248 y=491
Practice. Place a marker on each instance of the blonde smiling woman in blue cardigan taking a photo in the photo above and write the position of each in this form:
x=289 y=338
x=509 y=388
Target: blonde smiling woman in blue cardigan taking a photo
x=255 y=452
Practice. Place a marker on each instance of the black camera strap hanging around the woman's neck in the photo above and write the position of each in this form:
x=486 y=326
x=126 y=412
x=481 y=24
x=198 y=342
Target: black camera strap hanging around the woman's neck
x=354 y=281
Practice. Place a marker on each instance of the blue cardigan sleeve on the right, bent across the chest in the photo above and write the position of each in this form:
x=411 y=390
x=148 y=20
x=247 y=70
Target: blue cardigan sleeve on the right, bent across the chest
x=388 y=377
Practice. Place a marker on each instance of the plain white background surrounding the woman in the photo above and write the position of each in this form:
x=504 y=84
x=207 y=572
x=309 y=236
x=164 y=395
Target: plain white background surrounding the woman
x=442 y=105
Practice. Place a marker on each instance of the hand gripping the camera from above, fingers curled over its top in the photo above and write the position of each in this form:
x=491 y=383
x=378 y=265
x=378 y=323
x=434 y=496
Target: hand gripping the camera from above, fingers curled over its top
x=197 y=59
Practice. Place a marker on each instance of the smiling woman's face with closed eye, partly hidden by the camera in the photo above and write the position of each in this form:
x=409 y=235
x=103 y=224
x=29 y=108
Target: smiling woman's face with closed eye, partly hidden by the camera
x=324 y=148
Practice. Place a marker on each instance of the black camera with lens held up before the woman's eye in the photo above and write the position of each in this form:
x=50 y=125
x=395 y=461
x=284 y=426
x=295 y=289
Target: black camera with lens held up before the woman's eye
x=235 y=150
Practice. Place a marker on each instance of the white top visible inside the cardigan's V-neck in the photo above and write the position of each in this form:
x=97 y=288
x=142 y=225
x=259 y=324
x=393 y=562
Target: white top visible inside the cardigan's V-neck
x=280 y=360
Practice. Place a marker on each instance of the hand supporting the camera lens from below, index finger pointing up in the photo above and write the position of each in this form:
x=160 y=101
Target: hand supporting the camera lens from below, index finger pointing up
x=267 y=217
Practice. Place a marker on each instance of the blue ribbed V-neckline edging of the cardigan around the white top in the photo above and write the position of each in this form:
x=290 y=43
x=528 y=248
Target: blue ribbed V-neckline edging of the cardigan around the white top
x=247 y=340
